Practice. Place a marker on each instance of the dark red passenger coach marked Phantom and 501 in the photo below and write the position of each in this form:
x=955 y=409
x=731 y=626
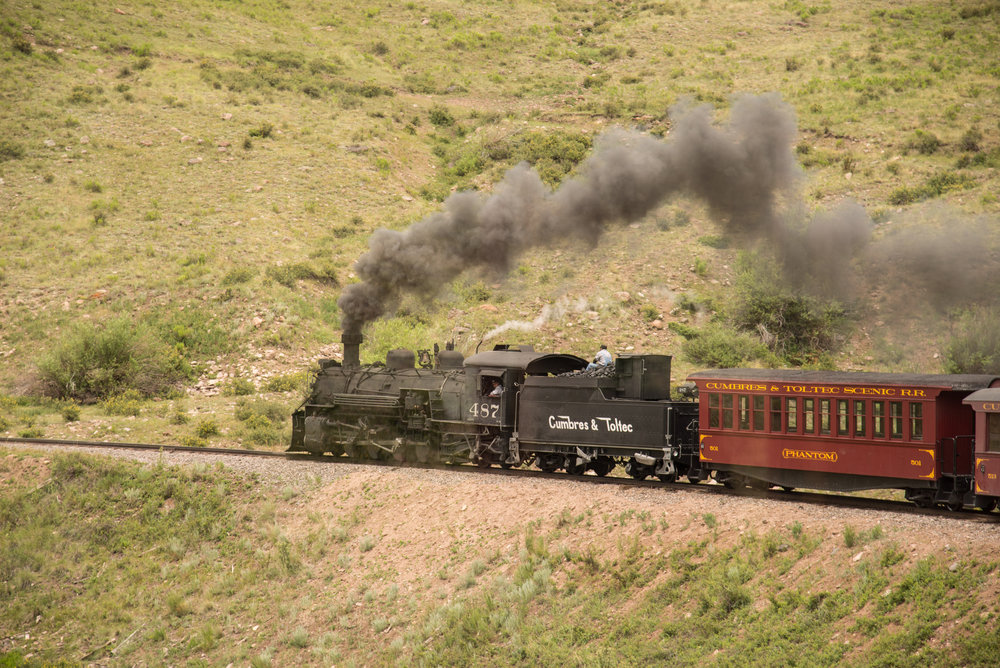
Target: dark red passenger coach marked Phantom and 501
x=841 y=430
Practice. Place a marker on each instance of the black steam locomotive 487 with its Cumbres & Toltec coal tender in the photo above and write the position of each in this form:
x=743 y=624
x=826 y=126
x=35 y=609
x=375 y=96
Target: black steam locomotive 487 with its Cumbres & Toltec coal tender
x=508 y=406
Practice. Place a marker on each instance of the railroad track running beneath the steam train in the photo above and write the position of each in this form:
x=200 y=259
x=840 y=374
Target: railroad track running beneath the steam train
x=802 y=497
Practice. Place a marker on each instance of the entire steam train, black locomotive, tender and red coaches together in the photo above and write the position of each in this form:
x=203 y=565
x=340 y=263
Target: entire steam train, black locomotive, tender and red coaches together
x=935 y=436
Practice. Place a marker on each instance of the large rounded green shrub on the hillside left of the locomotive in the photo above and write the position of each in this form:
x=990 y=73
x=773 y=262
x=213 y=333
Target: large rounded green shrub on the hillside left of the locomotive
x=99 y=361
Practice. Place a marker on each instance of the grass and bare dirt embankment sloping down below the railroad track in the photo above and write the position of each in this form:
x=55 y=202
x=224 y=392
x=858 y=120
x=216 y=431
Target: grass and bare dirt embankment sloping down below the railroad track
x=119 y=564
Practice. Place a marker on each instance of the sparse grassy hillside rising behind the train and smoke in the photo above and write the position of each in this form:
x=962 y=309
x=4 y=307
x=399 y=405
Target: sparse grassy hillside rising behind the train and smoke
x=211 y=170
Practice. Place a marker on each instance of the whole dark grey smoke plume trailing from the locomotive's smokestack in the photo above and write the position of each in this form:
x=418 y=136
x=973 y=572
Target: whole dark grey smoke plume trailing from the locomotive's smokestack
x=744 y=170
